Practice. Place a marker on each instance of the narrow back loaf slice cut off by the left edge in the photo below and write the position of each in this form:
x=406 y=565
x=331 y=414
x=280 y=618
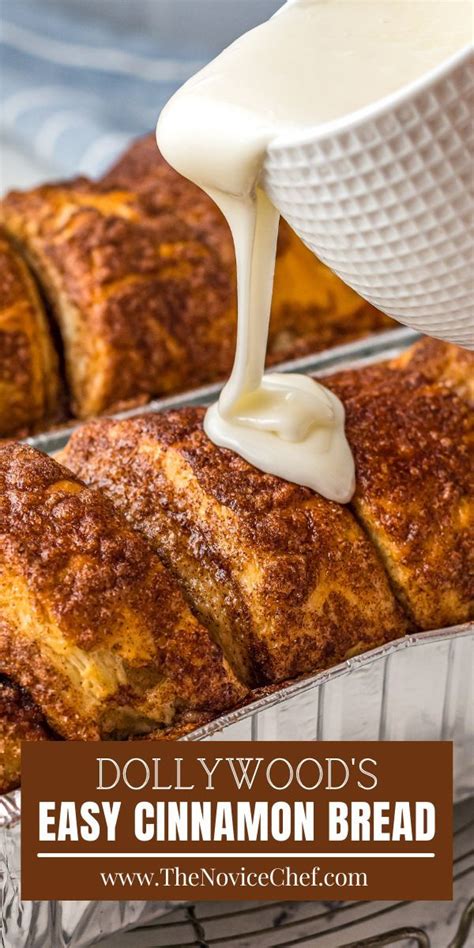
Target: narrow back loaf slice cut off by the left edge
x=29 y=377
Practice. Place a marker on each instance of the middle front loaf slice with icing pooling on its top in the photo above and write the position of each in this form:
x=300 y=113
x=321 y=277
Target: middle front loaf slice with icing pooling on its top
x=286 y=580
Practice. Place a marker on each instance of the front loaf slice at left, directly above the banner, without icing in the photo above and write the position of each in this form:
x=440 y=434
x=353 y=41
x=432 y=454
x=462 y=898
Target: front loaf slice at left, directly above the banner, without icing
x=91 y=624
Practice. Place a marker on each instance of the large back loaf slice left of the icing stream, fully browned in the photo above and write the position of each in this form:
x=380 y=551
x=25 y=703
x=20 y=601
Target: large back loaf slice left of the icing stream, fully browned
x=140 y=301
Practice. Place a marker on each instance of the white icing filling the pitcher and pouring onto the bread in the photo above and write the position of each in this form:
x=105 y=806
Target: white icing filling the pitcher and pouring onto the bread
x=313 y=62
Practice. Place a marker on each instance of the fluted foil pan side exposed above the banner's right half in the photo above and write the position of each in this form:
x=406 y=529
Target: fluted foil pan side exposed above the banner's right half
x=418 y=688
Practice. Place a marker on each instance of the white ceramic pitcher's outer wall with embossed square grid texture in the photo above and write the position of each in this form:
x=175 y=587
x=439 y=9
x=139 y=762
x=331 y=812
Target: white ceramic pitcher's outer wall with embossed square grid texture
x=386 y=199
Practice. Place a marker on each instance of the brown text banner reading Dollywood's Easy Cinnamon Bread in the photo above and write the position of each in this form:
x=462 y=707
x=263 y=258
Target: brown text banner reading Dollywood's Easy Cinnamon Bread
x=236 y=820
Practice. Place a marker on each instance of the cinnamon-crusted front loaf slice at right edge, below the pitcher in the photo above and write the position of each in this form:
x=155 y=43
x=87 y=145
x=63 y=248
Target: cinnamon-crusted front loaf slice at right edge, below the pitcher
x=411 y=429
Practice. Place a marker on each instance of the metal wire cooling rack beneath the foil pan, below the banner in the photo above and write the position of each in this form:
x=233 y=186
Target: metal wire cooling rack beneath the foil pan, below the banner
x=343 y=925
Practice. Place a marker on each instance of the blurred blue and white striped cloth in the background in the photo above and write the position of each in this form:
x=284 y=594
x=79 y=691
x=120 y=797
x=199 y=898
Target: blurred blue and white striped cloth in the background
x=79 y=78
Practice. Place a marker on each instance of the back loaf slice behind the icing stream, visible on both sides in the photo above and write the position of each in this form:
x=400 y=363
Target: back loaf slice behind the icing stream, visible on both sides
x=311 y=310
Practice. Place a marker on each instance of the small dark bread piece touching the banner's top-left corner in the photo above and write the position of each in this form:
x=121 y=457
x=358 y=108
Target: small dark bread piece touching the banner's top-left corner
x=20 y=720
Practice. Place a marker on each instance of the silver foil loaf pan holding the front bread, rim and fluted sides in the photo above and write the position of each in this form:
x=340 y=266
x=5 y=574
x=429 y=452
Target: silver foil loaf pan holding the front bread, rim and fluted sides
x=417 y=688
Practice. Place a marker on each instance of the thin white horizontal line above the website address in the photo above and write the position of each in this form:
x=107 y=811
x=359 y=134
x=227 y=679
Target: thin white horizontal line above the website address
x=260 y=855
